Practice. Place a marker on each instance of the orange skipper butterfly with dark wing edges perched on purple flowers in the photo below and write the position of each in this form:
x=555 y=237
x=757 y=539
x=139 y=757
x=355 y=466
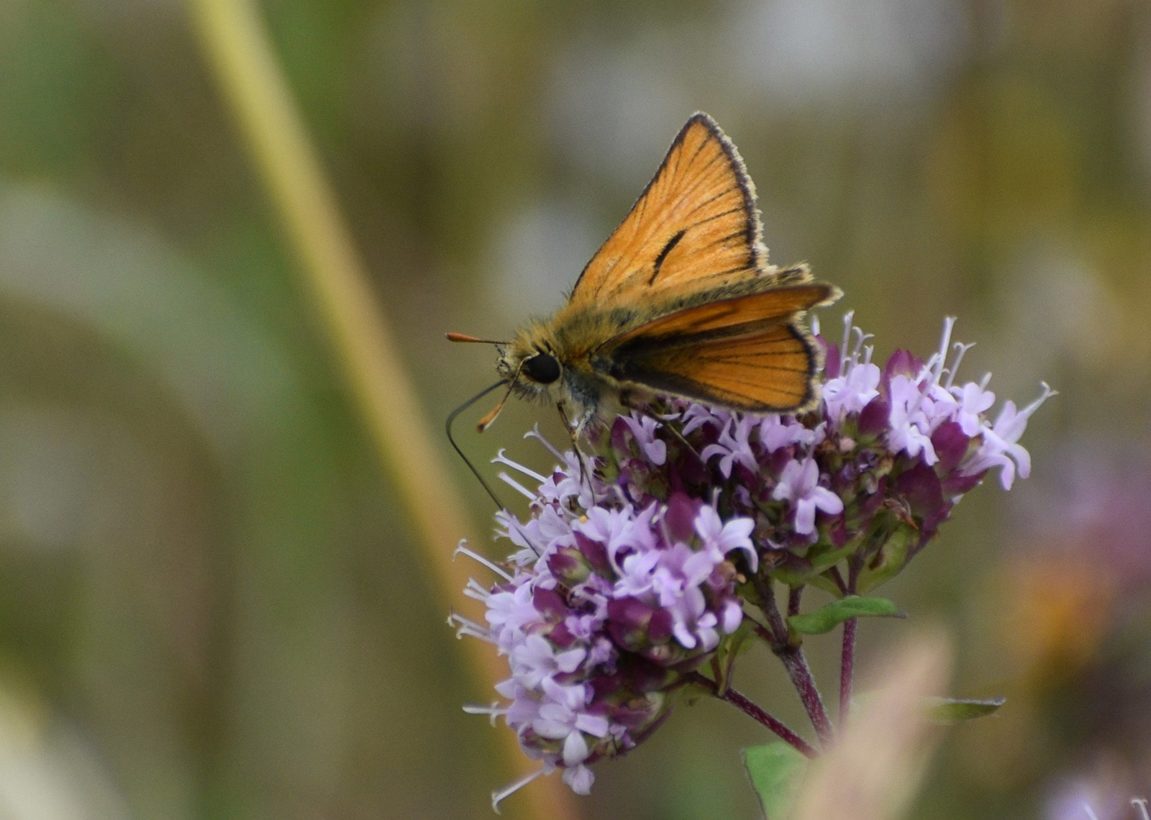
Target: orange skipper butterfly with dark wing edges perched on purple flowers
x=680 y=301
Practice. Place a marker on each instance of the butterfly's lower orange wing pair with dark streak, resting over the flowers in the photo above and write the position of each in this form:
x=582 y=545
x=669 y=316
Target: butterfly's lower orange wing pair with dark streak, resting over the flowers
x=744 y=352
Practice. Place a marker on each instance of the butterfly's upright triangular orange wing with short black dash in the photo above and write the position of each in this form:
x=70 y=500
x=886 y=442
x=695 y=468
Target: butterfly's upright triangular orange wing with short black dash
x=696 y=224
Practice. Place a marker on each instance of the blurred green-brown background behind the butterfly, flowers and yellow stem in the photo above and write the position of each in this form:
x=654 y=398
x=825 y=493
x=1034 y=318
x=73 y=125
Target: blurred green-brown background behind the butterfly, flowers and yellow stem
x=212 y=602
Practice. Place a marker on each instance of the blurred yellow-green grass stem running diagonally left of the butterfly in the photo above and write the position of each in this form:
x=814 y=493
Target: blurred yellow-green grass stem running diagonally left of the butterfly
x=237 y=49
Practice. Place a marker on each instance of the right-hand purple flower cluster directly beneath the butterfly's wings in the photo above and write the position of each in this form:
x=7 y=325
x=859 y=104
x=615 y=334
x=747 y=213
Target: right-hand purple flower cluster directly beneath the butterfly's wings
x=842 y=497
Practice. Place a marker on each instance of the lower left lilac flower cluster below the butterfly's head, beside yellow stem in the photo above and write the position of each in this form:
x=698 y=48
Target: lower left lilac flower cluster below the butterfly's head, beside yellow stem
x=603 y=611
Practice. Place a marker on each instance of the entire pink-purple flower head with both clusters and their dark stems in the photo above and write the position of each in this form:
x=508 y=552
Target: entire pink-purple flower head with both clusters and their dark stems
x=639 y=578
